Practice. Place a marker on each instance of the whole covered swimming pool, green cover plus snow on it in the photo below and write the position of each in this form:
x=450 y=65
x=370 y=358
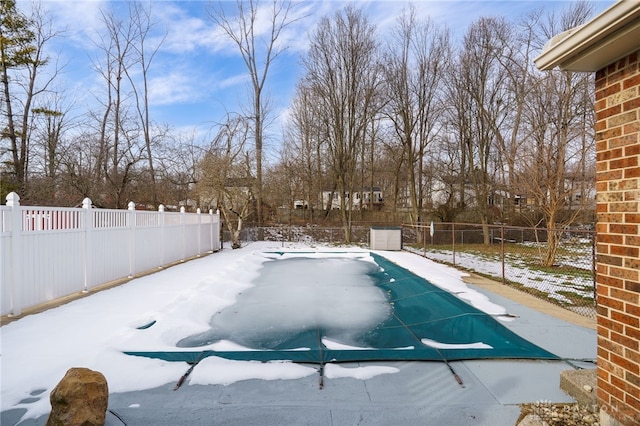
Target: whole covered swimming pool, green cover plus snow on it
x=342 y=307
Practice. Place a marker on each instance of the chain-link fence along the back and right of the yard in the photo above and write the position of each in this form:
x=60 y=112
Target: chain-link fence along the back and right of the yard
x=516 y=256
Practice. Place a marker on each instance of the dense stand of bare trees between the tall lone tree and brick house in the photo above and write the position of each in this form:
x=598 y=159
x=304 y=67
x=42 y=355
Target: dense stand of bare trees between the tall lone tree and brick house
x=469 y=131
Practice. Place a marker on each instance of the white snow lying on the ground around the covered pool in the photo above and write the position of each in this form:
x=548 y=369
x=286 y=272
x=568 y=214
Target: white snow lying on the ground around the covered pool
x=92 y=332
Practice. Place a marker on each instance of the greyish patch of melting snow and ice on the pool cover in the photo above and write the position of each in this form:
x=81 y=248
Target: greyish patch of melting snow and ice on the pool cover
x=336 y=294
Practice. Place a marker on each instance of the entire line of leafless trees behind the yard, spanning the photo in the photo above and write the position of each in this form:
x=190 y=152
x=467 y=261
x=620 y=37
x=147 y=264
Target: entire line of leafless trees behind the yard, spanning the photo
x=450 y=130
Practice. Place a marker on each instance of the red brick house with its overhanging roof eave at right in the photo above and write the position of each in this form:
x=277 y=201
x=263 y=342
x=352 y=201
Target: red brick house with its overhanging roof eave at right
x=609 y=45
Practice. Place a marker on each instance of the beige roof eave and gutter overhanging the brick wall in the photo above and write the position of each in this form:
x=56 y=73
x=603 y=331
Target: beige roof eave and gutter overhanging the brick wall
x=612 y=35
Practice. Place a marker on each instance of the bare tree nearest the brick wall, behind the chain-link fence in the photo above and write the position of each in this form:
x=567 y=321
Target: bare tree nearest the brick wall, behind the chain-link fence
x=557 y=167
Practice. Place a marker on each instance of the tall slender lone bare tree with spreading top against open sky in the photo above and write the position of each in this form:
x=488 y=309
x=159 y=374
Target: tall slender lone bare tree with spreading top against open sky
x=258 y=52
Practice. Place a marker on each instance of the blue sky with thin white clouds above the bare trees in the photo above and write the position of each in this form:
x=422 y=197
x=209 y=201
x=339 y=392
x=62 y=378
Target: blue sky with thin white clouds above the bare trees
x=198 y=75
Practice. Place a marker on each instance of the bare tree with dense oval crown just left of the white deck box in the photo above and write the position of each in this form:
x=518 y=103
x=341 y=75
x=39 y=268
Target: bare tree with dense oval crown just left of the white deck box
x=342 y=70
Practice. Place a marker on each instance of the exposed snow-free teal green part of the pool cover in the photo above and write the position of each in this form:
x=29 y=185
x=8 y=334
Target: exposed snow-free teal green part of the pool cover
x=420 y=310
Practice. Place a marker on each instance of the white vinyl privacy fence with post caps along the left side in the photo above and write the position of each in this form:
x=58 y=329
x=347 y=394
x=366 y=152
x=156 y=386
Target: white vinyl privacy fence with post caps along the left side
x=51 y=252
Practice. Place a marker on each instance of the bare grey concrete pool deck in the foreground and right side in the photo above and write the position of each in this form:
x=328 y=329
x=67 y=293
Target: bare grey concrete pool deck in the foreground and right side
x=420 y=393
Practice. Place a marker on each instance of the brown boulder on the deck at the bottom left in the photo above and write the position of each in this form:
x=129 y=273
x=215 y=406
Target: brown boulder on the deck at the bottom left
x=80 y=399
